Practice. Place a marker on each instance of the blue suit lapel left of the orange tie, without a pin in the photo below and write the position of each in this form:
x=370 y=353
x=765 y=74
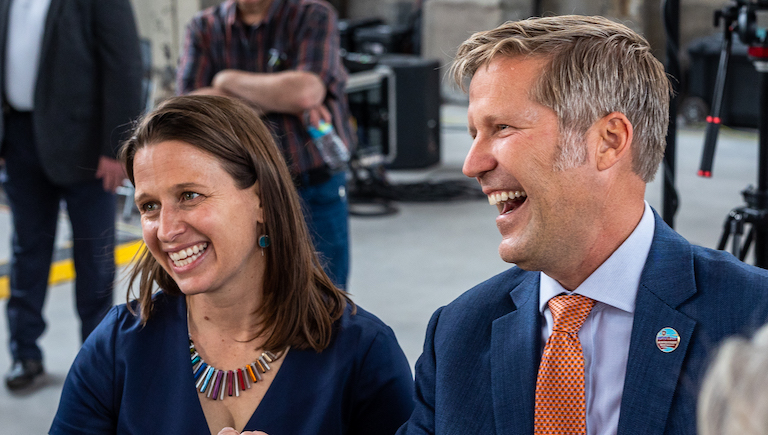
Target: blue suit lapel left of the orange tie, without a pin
x=516 y=351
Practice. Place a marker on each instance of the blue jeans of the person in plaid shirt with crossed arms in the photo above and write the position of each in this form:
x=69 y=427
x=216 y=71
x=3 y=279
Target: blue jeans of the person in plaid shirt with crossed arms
x=326 y=211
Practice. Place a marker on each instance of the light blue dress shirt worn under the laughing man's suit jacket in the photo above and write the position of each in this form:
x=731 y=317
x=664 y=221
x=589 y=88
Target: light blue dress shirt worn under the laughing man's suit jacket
x=606 y=332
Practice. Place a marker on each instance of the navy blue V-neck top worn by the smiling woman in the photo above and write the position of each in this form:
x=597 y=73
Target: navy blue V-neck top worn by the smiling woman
x=129 y=379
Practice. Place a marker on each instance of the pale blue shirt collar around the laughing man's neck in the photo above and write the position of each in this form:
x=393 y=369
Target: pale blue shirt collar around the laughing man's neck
x=616 y=281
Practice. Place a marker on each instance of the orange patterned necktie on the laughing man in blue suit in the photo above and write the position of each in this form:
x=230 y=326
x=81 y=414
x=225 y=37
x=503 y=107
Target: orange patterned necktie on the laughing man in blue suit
x=560 y=404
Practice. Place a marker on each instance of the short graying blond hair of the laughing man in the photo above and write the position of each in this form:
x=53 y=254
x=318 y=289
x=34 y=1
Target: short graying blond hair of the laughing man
x=596 y=66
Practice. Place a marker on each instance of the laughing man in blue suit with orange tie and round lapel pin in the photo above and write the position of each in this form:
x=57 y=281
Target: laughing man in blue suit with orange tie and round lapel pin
x=568 y=117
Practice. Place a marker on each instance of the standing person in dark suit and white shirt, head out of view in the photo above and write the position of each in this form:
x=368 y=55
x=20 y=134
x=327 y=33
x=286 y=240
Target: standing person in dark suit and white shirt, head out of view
x=71 y=81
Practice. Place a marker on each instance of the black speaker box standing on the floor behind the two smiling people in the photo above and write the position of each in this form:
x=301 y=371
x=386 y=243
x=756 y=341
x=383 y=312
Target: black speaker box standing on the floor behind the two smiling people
x=417 y=110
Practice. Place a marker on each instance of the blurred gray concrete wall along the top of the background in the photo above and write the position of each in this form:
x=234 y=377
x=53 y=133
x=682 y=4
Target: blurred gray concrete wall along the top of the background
x=445 y=23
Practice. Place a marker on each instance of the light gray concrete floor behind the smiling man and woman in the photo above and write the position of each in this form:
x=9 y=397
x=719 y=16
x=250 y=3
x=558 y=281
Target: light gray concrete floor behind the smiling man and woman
x=407 y=264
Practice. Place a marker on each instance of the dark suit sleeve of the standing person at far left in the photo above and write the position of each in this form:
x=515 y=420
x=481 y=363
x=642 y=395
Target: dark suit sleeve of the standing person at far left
x=120 y=64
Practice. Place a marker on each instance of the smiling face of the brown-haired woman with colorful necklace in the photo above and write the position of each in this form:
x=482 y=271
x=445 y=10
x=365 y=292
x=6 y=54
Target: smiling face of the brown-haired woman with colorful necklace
x=196 y=222
